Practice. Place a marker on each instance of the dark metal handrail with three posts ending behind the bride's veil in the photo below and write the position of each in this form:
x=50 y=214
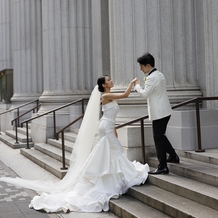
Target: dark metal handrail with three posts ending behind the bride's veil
x=54 y=117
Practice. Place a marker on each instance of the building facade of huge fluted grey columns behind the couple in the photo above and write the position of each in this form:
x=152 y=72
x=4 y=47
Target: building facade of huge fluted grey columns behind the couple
x=57 y=50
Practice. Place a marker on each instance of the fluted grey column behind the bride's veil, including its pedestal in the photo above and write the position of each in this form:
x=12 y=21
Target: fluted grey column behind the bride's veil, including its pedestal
x=72 y=57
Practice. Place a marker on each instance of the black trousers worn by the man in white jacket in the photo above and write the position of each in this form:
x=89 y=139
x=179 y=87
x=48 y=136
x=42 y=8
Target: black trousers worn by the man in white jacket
x=162 y=144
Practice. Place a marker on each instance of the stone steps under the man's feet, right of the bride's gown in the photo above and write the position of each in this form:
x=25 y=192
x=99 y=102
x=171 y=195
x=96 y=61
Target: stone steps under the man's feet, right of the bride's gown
x=190 y=190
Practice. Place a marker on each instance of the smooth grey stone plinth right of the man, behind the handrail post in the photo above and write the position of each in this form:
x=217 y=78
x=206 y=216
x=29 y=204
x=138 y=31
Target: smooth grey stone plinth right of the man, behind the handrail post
x=182 y=131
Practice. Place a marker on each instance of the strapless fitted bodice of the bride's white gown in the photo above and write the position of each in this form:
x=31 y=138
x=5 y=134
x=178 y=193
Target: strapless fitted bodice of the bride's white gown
x=110 y=111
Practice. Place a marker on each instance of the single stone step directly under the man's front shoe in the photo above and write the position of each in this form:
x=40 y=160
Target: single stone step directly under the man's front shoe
x=191 y=189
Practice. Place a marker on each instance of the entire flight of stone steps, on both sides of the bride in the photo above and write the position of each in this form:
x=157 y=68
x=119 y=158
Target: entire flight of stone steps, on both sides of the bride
x=190 y=190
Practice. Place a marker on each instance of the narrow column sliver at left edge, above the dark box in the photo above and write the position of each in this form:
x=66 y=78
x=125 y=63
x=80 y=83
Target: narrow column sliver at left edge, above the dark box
x=6 y=32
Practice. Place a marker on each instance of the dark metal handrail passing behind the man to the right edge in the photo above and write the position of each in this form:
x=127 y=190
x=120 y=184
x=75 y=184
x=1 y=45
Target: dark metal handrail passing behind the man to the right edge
x=197 y=109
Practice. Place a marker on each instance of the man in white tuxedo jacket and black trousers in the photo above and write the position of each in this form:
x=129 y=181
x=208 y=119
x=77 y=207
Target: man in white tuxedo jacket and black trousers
x=159 y=111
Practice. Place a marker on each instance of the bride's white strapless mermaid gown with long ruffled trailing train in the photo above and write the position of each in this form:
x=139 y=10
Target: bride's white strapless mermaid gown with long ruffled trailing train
x=106 y=173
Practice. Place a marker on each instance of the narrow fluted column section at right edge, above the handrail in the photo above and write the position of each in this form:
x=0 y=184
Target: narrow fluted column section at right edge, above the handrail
x=207 y=47
